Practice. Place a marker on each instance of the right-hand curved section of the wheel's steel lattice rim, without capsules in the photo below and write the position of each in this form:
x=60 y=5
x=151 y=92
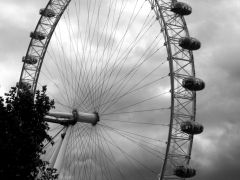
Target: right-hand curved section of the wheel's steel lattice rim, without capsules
x=183 y=102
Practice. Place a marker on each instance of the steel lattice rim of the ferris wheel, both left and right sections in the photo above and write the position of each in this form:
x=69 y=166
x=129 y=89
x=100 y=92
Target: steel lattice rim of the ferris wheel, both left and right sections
x=181 y=65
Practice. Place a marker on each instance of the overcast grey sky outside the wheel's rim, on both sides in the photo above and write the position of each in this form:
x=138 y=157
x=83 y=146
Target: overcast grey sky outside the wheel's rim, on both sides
x=216 y=24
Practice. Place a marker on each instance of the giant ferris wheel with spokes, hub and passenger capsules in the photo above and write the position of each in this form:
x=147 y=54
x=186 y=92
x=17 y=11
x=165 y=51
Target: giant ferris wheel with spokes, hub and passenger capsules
x=122 y=75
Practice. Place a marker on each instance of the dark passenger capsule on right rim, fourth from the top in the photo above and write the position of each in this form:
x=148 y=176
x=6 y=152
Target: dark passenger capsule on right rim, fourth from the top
x=191 y=127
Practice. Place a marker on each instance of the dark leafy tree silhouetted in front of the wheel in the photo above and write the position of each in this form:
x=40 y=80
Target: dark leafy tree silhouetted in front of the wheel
x=22 y=132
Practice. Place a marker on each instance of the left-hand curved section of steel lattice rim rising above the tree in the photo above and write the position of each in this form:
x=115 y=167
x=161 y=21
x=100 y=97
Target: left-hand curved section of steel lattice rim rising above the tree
x=38 y=48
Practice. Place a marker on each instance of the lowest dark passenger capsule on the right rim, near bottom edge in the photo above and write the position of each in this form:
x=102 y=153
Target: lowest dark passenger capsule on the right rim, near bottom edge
x=184 y=172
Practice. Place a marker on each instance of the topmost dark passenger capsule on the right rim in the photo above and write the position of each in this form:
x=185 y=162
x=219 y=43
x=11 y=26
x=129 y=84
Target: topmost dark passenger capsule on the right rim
x=181 y=8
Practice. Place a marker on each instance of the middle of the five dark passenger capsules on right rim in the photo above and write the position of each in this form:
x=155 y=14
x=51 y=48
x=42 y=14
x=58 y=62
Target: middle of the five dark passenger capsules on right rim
x=193 y=84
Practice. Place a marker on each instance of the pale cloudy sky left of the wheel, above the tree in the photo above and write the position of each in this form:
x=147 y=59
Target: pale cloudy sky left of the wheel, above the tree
x=18 y=19
